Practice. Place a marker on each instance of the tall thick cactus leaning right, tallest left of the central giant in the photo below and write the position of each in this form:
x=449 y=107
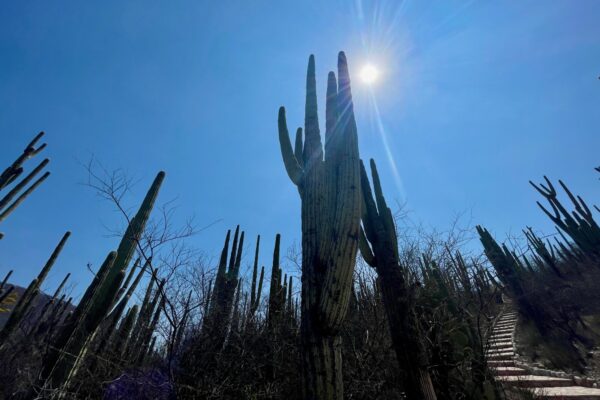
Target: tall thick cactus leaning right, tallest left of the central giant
x=71 y=346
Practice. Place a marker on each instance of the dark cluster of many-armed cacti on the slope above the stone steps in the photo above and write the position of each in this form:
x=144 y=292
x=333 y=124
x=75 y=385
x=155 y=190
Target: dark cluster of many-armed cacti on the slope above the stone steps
x=542 y=279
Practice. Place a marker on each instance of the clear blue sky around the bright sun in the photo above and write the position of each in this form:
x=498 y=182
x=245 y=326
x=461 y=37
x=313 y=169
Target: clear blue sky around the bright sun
x=475 y=98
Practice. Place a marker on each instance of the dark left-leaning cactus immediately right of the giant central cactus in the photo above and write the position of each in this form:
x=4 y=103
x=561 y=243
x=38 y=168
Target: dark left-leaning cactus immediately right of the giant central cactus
x=379 y=247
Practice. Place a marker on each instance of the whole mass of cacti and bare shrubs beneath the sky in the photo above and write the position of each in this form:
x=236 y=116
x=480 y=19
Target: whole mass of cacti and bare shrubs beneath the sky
x=367 y=307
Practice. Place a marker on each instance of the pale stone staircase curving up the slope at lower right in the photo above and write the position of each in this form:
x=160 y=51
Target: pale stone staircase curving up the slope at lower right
x=501 y=359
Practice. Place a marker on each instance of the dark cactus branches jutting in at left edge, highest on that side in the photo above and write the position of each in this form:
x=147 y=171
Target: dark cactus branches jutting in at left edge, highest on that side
x=8 y=203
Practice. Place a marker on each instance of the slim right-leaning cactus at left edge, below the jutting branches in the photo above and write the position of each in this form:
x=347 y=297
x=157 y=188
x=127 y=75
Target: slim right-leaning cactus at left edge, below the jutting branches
x=24 y=303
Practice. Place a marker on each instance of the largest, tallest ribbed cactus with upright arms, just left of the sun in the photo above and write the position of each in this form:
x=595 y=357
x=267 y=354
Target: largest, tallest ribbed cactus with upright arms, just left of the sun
x=329 y=187
